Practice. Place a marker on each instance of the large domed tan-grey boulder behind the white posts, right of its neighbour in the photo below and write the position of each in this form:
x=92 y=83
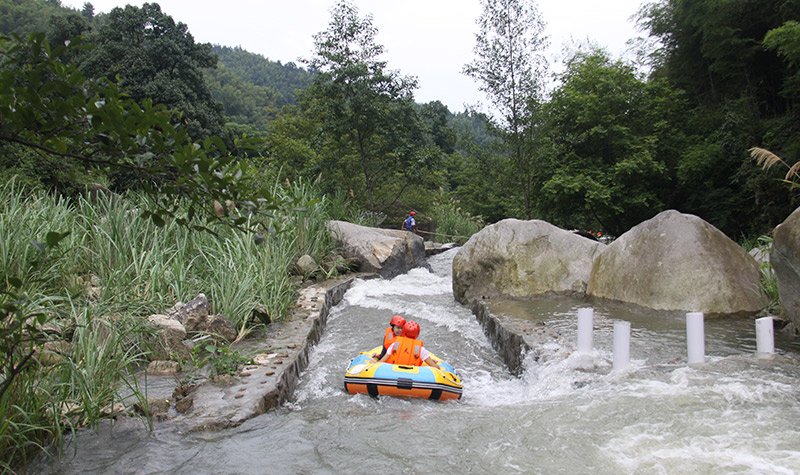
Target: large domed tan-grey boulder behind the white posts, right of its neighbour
x=677 y=261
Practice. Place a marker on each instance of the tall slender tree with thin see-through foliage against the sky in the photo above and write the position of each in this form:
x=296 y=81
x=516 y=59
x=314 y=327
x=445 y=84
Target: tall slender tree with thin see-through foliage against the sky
x=510 y=66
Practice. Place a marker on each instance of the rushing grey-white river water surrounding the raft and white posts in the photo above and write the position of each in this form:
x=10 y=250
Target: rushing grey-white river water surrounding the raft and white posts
x=567 y=413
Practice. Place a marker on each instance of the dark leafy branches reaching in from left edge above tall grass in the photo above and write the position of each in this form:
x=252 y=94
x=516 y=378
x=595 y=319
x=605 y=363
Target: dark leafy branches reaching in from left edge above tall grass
x=52 y=109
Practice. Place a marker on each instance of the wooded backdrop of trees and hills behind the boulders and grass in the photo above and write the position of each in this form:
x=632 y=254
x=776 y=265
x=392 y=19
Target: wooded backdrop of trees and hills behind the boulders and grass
x=603 y=149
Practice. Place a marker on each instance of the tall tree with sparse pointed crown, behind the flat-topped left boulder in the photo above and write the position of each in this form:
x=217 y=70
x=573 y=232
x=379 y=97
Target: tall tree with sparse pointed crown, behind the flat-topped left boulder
x=372 y=133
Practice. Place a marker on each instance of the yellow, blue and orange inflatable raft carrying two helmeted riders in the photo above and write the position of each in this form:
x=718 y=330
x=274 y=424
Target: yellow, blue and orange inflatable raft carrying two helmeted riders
x=365 y=376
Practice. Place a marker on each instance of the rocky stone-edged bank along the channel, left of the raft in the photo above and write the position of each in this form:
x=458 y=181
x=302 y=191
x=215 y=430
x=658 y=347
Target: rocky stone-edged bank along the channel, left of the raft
x=281 y=355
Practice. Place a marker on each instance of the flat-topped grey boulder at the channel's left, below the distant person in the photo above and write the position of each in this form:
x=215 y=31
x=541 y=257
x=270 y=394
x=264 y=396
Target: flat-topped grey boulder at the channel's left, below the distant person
x=387 y=252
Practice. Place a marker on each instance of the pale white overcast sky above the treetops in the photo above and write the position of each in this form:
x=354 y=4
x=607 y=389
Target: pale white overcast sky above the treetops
x=429 y=39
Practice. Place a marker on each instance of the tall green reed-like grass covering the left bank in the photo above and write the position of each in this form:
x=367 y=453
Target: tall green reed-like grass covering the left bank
x=111 y=272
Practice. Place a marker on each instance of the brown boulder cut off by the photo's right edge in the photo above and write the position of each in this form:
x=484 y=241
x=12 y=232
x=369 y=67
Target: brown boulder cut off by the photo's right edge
x=785 y=260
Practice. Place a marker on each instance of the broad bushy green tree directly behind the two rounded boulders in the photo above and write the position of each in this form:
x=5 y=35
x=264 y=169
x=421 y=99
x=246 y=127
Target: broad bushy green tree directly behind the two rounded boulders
x=615 y=141
